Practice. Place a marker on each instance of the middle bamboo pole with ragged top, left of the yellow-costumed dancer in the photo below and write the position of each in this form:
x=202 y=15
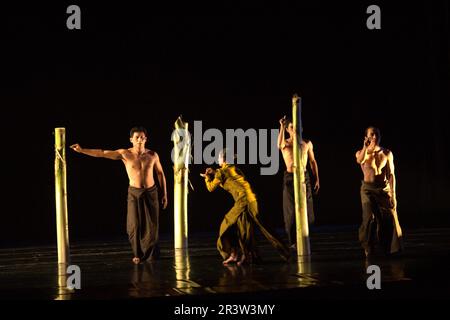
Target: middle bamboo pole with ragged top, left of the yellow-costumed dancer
x=182 y=152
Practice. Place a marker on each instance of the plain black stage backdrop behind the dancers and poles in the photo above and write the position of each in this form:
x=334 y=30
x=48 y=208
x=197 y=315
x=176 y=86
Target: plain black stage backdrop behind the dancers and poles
x=231 y=67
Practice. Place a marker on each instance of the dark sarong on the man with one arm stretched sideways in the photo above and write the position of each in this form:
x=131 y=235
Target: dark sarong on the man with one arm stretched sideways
x=143 y=221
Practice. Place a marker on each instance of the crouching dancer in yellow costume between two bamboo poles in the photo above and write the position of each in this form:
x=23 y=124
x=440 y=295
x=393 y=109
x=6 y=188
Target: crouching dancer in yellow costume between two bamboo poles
x=236 y=235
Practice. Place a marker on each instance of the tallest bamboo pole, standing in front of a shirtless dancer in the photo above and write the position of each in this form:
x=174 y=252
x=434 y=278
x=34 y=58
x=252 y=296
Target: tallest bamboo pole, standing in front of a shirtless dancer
x=301 y=217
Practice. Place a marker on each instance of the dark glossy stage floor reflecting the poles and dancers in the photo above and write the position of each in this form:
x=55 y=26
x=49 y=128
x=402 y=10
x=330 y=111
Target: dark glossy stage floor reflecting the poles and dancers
x=337 y=270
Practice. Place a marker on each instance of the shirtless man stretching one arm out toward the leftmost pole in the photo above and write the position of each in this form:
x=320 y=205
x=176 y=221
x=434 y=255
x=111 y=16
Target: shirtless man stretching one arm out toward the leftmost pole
x=143 y=203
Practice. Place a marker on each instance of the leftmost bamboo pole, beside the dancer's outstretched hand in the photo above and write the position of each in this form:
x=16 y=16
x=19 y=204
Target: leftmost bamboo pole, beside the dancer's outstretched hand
x=62 y=223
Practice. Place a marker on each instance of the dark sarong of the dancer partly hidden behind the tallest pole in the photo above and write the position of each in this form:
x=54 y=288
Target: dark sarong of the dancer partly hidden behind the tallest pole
x=289 y=204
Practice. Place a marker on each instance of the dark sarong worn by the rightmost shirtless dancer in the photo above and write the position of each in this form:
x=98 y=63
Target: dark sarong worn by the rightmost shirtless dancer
x=379 y=219
